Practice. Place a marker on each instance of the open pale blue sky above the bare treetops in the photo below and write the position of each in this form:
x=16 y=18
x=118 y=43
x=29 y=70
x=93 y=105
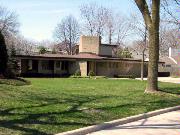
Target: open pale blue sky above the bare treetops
x=38 y=18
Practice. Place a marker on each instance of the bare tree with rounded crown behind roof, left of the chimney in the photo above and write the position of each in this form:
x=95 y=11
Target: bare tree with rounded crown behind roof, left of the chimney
x=67 y=32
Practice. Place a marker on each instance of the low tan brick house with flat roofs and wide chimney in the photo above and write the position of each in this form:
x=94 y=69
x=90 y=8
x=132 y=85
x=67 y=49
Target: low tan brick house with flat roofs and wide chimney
x=92 y=56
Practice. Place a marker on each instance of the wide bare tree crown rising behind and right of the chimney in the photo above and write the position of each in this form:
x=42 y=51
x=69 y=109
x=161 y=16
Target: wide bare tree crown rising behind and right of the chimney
x=104 y=22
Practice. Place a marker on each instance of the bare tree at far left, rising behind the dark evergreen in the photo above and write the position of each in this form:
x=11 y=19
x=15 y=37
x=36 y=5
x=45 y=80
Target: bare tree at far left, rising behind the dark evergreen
x=9 y=27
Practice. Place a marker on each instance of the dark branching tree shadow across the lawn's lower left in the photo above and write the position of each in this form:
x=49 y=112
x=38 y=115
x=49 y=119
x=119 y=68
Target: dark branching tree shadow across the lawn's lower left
x=17 y=124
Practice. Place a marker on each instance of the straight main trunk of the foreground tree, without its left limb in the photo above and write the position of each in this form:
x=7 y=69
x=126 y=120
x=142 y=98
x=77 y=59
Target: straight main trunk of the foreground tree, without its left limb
x=152 y=84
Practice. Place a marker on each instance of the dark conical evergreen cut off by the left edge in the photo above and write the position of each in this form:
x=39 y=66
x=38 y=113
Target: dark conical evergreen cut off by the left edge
x=3 y=55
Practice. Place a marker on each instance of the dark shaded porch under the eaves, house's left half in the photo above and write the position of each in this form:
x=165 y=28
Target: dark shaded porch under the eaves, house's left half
x=35 y=67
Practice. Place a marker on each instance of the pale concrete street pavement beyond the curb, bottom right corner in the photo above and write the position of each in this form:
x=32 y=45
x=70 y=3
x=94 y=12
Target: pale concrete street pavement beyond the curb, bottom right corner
x=164 y=124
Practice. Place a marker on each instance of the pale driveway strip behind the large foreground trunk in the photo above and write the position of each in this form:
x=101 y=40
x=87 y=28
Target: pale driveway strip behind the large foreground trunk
x=166 y=79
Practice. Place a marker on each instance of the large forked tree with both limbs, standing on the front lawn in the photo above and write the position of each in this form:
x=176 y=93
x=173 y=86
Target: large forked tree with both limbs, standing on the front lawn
x=152 y=20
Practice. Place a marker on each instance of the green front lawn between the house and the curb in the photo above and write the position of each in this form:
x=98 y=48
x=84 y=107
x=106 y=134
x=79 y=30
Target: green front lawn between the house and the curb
x=49 y=106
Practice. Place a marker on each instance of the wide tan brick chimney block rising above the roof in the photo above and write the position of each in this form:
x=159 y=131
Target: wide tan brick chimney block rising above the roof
x=90 y=44
